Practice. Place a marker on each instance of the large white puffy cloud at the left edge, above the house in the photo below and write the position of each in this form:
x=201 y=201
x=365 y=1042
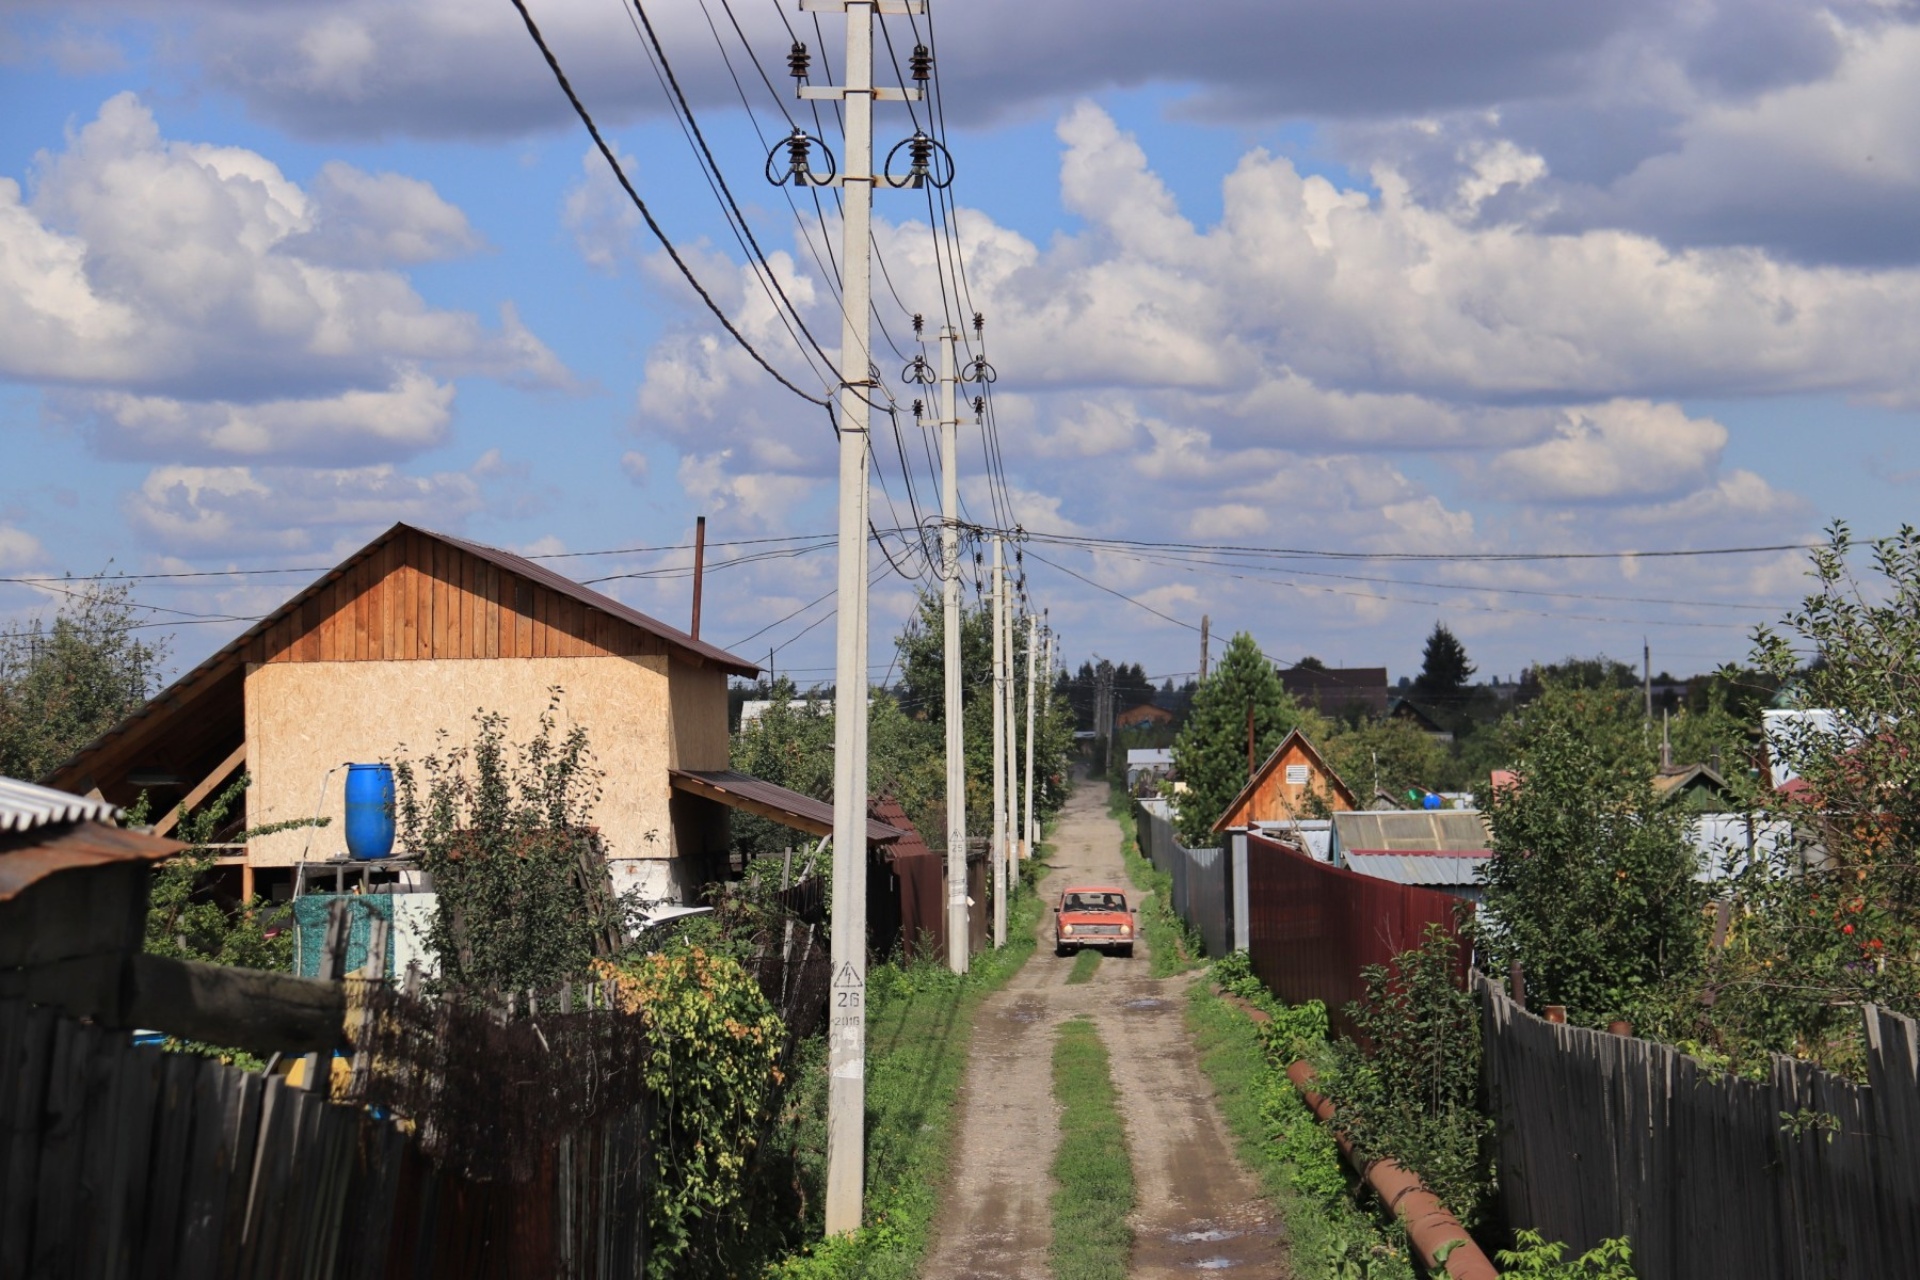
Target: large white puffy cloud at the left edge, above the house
x=193 y=296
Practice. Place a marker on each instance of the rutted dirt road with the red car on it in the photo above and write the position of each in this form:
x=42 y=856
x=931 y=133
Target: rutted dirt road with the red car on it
x=1195 y=1208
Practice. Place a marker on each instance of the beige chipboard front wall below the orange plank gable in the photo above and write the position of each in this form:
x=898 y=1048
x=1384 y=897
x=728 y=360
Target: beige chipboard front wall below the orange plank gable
x=306 y=721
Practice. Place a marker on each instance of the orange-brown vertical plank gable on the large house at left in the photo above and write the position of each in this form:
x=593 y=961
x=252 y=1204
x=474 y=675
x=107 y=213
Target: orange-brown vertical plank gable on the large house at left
x=420 y=600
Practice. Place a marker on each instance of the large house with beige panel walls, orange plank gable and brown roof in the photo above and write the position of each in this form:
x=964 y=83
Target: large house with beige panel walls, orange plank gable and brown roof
x=391 y=655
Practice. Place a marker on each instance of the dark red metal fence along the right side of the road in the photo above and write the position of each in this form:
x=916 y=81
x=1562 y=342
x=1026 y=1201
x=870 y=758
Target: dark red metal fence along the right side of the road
x=1314 y=928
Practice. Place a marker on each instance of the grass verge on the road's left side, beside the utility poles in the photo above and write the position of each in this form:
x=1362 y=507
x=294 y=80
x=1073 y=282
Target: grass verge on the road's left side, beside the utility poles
x=919 y=1024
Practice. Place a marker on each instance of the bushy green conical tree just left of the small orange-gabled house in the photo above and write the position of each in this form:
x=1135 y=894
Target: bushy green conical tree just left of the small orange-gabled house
x=1211 y=753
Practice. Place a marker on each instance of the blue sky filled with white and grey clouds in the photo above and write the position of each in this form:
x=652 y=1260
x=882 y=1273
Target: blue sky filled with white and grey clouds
x=1403 y=289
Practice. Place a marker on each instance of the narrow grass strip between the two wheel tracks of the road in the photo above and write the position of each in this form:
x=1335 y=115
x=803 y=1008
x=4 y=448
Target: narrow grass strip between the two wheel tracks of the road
x=1092 y=1168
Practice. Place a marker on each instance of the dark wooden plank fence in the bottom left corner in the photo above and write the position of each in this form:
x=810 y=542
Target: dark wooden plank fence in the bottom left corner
x=120 y=1160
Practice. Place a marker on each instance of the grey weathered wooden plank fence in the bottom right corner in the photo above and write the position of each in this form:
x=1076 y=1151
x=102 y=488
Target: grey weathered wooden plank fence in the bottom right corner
x=1798 y=1177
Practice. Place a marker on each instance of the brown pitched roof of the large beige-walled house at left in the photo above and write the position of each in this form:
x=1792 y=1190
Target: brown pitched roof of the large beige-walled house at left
x=231 y=659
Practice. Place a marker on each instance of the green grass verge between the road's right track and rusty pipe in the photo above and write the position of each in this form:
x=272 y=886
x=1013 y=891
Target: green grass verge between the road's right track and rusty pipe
x=1293 y=1154
